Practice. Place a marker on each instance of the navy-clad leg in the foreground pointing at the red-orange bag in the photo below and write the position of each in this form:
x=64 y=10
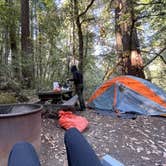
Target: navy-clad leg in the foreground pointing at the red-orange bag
x=79 y=152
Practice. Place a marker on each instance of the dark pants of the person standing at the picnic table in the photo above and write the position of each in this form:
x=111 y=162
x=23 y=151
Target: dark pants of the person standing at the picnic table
x=79 y=92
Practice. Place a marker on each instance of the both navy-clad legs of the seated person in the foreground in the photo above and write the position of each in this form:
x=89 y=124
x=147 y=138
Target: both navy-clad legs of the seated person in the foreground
x=79 y=152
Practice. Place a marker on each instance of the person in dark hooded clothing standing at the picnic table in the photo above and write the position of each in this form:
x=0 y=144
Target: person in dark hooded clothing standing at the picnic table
x=78 y=83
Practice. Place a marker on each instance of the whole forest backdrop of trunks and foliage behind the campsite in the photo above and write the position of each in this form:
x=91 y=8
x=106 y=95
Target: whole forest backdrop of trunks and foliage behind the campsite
x=41 y=39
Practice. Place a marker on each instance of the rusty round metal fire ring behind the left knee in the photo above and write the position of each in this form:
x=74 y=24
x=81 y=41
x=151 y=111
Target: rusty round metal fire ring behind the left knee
x=19 y=122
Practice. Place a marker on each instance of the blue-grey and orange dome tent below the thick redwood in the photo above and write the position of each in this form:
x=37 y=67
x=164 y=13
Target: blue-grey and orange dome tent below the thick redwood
x=129 y=94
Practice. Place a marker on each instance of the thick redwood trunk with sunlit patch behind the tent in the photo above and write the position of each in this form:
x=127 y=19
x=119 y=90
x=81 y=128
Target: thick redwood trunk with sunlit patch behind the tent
x=131 y=60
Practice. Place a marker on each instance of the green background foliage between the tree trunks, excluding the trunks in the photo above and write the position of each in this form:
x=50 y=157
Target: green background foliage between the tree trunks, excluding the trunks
x=54 y=37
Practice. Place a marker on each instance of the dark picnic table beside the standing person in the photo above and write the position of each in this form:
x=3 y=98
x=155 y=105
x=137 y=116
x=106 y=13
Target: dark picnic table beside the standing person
x=55 y=96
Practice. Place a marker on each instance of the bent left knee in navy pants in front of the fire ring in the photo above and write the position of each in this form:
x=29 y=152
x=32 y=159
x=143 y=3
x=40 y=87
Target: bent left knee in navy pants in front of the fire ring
x=23 y=154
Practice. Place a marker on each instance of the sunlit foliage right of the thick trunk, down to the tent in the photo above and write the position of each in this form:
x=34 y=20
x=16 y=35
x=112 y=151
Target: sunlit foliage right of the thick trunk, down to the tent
x=152 y=33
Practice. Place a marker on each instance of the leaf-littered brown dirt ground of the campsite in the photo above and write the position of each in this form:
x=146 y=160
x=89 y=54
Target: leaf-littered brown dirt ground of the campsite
x=140 y=142
